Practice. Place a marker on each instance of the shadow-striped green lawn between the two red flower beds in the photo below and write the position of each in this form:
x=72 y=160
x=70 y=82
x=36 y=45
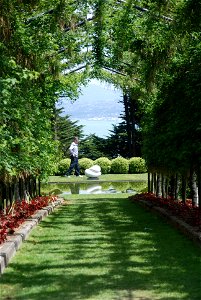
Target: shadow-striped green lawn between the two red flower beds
x=103 y=247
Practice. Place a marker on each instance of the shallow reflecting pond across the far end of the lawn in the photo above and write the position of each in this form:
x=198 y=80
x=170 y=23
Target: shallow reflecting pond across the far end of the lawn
x=94 y=188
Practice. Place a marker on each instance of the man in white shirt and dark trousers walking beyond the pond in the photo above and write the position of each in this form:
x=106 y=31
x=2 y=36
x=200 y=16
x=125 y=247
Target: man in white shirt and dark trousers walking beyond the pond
x=74 y=158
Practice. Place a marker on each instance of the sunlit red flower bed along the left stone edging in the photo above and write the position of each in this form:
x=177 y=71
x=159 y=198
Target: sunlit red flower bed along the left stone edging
x=14 y=216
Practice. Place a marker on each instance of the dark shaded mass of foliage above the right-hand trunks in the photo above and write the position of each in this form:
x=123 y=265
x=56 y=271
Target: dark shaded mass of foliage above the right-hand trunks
x=175 y=145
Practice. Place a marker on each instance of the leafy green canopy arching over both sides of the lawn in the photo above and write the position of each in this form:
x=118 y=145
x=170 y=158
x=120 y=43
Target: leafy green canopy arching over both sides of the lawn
x=149 y=49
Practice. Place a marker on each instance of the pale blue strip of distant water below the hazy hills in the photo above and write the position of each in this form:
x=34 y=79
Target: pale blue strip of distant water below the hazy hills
x=99 y=127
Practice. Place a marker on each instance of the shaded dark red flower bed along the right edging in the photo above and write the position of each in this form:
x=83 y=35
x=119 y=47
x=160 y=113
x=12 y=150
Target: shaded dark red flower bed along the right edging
x=184 y=211
